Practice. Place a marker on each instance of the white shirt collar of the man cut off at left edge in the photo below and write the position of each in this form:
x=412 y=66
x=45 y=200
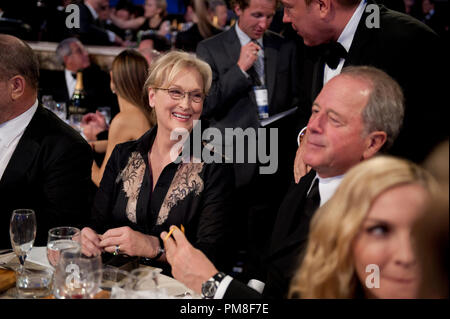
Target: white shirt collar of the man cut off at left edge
x=11 y=133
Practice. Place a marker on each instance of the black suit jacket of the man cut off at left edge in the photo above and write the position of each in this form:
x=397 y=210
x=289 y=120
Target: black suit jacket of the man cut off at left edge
x=49 y=172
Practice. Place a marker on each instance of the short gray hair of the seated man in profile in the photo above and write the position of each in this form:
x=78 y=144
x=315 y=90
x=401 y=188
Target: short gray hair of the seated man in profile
x=385 y=108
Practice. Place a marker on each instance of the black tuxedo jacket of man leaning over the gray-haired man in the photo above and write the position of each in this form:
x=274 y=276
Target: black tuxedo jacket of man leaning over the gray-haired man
x=412 y=54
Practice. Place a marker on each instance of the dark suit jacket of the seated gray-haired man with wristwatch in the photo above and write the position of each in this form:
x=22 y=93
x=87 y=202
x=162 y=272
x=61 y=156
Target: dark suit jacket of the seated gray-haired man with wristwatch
x=289 y=238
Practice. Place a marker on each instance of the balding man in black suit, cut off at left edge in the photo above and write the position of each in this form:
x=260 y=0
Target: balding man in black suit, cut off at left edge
x=45 y=165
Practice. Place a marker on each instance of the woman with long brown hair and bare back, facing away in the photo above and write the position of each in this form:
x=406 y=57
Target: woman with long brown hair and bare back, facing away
x=128 y=74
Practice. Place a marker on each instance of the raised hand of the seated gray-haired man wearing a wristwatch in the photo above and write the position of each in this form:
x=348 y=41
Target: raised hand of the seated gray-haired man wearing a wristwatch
x=189 y=265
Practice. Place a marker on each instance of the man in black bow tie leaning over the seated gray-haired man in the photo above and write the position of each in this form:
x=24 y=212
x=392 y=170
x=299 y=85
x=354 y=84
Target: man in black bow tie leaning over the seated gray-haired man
x=339 y=33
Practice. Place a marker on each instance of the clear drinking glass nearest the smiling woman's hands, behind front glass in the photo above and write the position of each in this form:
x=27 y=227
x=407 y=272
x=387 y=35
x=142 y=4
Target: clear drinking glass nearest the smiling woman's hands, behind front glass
x=61 y=238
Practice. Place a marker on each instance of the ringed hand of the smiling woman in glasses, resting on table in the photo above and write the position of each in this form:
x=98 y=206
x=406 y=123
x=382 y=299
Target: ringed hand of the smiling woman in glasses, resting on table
x=130 y=242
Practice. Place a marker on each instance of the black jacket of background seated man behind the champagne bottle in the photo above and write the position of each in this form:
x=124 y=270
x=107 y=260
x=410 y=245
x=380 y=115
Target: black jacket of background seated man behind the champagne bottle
x=96 y=85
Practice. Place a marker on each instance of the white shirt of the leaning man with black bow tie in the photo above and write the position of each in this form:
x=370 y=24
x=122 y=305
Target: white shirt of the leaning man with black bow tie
x=346 y=39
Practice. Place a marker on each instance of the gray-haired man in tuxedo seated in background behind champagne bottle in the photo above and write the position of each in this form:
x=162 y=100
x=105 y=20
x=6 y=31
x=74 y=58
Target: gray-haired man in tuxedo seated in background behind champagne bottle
x=74 y=57
